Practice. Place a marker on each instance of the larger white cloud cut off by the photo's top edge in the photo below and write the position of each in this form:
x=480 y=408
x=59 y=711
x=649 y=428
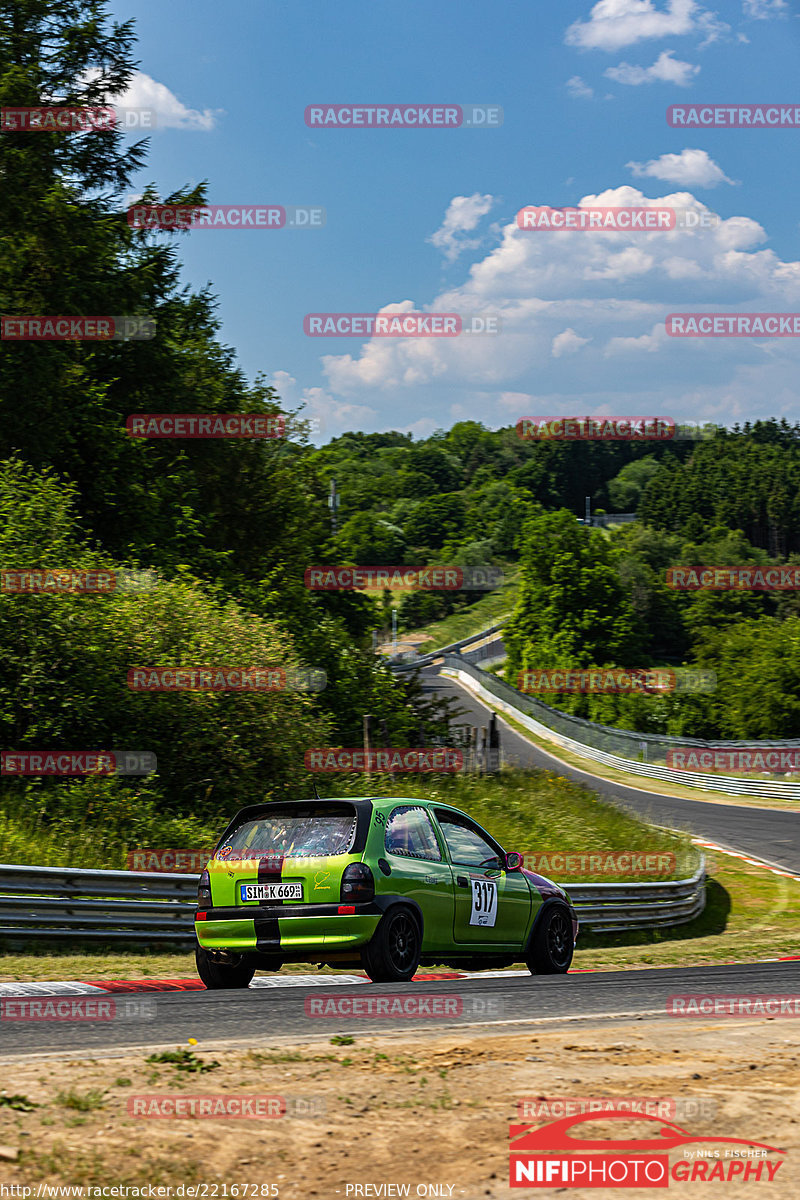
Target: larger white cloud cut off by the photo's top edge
x=617 y=23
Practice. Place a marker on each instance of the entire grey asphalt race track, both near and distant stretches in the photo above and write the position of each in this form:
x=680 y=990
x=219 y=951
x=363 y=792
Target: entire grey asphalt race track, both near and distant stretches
x=491 y=1004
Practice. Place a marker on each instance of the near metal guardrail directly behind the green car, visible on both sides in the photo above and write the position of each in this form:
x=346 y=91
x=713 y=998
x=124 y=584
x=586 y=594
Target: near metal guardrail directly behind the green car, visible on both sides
x=75 y=905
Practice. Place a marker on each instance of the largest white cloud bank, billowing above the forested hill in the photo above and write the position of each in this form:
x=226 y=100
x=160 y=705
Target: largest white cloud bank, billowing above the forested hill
x=605 y=295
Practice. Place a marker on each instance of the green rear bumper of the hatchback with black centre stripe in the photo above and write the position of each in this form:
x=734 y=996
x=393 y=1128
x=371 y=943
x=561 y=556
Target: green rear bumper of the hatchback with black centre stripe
x=284 y=929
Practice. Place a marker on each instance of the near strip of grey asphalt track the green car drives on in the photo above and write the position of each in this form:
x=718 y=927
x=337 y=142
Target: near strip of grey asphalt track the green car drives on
x=492 y=1004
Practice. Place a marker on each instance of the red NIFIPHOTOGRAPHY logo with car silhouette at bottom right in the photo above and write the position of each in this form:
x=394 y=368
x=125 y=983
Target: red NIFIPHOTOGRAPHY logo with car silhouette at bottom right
x=554 y=1156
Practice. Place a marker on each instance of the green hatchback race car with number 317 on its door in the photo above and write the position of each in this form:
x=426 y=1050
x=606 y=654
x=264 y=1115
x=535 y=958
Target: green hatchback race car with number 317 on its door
x=384 y=884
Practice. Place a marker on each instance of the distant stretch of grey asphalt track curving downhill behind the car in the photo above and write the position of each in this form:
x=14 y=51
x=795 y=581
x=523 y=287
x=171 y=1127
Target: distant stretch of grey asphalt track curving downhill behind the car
x=769 y=835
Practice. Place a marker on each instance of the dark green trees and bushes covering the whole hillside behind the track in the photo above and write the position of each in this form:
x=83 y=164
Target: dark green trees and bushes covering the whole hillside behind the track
x=227 y=529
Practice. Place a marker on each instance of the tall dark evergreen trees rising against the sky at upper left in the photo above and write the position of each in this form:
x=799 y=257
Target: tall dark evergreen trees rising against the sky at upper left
x=236 y=509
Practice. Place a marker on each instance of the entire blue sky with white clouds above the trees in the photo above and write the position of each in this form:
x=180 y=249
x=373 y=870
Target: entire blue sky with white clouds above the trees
x=426 y=219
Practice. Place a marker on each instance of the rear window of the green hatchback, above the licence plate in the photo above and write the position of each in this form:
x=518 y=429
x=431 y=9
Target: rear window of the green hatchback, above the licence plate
x=308 y=832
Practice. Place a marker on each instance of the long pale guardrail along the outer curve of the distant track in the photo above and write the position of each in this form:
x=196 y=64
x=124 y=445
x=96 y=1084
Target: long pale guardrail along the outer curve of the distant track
x=599 y=742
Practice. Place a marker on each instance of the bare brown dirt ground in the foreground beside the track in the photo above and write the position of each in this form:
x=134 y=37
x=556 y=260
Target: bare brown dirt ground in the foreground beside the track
x=432 y=1113
